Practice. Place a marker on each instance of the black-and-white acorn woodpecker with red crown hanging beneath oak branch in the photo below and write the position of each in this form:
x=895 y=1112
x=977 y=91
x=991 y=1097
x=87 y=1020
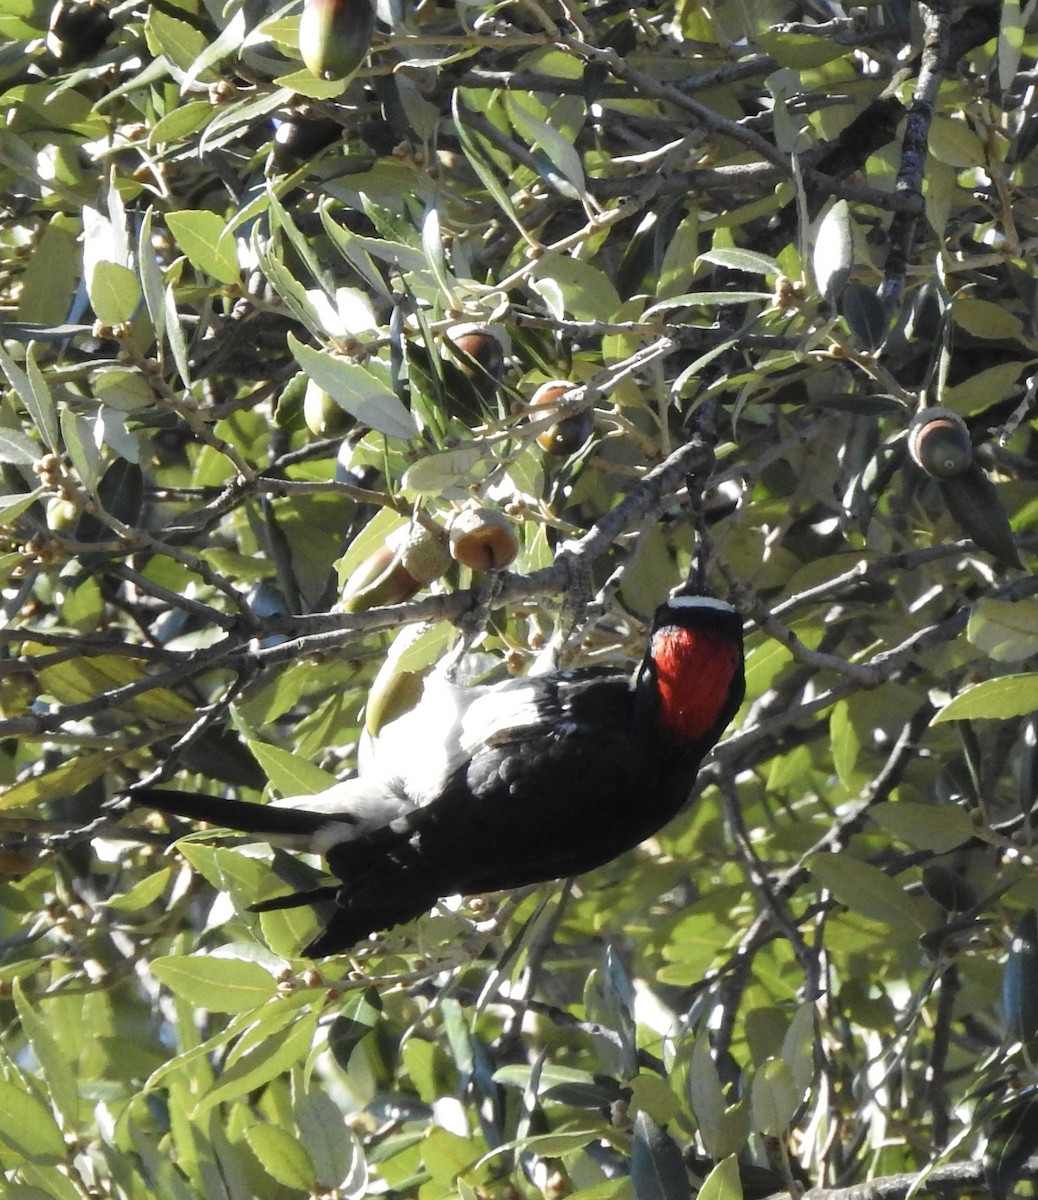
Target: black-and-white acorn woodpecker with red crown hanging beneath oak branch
x=503 y=785
